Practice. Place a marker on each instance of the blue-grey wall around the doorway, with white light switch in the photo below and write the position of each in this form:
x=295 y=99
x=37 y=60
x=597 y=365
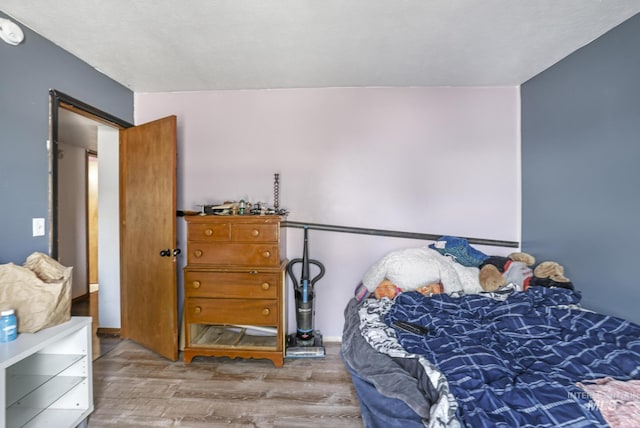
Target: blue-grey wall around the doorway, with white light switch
x=28 y=71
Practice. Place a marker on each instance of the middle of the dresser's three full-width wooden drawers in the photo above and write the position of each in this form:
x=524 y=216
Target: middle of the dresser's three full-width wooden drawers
x=248 y=285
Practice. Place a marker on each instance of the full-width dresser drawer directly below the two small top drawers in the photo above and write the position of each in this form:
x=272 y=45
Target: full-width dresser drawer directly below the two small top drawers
x=259 y=255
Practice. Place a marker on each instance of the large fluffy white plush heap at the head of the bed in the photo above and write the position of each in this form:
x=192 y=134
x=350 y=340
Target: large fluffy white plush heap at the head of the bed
x=412 y=268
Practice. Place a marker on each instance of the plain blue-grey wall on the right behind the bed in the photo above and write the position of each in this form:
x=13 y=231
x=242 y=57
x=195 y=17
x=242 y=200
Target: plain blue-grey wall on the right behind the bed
x=581 y=172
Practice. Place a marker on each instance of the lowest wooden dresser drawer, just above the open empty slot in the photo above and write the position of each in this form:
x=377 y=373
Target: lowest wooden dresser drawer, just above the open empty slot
x=232 y=311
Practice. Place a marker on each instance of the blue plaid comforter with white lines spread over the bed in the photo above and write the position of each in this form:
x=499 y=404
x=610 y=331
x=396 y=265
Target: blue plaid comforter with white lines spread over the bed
x=515 y=363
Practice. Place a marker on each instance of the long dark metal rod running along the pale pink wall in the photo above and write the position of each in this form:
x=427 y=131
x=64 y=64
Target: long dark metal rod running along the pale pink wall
x=393 y=233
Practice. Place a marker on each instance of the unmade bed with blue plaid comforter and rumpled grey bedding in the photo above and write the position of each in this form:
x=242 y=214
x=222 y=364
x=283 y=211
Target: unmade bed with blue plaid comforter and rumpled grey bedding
x=525 y=357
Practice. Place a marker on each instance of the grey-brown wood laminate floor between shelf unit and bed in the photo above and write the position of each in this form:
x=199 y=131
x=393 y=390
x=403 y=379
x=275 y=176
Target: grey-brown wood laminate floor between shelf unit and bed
x=135 y=387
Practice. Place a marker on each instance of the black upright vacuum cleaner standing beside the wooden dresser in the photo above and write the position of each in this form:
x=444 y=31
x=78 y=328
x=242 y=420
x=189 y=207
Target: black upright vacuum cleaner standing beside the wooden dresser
x=306 y=342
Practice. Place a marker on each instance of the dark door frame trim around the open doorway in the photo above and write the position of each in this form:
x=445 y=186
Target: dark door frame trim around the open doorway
x=61 y=100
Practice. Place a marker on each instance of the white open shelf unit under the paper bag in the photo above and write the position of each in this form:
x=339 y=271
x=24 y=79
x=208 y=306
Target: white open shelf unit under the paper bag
x=46 y=378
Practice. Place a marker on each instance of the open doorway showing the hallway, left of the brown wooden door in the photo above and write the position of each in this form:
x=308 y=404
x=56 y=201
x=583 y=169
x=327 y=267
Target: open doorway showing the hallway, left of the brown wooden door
x=84 y=140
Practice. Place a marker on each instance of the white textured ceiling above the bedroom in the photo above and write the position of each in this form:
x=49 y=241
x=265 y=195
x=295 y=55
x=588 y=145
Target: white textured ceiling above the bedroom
x=187 y=45
